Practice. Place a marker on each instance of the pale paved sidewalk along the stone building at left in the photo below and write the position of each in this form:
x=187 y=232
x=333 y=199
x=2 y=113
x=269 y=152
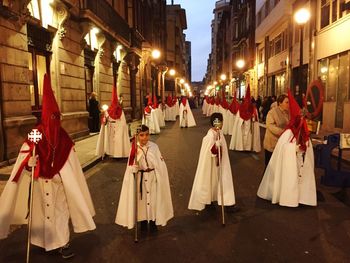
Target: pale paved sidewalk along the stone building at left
x=85 y=149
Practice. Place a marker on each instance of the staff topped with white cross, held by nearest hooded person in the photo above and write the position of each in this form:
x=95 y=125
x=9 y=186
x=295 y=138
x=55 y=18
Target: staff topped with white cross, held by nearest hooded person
x=34 y=136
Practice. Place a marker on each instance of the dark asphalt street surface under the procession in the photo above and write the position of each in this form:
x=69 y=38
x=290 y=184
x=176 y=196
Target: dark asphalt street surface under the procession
x=256 y=231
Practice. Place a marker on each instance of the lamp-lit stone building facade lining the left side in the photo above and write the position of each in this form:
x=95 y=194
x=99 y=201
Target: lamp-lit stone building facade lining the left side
x=85 y=46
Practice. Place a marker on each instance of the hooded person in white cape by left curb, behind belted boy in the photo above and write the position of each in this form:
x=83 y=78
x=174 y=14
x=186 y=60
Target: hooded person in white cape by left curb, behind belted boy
x=113 y=139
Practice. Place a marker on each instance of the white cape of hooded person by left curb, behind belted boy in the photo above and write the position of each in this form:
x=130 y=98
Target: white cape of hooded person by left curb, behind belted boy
x=114 y=138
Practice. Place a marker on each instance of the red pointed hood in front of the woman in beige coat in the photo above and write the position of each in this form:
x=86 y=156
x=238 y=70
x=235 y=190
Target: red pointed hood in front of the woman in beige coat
x=297 y=123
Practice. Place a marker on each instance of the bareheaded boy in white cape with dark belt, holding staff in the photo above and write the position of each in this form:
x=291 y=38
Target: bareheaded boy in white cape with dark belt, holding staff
x=154 y=205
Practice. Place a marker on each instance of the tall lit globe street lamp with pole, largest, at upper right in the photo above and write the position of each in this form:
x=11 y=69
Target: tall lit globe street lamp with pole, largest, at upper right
x=301 y=17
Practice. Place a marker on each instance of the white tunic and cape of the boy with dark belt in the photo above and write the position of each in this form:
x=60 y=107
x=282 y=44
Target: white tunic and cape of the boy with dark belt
x=155 y=201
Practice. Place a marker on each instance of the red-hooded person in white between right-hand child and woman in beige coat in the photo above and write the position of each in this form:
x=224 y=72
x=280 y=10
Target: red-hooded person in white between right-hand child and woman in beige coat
x=246 y=129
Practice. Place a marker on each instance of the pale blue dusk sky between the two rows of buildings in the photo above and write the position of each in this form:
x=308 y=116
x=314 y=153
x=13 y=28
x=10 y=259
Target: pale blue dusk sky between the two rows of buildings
x=199 y=14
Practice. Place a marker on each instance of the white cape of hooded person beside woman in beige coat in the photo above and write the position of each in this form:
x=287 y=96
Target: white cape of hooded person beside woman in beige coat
x=288 y=180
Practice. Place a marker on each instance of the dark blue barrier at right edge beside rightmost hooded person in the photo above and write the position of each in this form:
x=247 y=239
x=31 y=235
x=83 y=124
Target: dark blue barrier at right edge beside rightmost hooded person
x=323 y=158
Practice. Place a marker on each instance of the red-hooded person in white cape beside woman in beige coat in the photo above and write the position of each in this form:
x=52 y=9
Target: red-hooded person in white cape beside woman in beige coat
x=289 y=178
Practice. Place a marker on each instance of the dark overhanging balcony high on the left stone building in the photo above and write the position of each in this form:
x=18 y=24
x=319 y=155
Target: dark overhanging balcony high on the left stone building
x=102 y=11
